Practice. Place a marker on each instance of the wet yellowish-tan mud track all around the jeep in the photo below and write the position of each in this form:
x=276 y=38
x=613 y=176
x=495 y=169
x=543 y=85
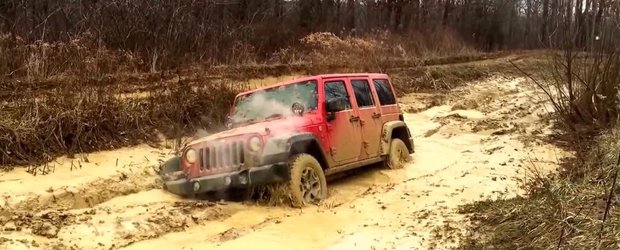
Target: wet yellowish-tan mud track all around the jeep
x=480 y=141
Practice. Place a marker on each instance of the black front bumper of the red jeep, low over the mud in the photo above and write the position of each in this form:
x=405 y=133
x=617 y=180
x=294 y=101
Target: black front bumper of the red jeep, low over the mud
x=271 y=173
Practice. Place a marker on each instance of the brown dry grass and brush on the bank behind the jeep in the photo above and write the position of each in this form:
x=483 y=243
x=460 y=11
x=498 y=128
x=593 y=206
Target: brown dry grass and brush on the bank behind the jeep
x=79 y=96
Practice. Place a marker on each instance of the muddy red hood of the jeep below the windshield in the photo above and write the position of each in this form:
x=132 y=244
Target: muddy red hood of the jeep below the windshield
x=277 y=126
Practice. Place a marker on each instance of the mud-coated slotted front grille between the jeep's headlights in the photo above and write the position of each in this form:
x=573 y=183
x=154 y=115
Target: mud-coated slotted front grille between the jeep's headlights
x=221 y=156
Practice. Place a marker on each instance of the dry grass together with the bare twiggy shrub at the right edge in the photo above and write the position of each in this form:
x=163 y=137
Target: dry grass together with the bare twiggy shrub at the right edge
x=575 y=208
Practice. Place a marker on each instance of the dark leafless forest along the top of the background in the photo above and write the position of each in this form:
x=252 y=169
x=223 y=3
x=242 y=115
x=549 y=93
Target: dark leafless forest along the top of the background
x=169 y=34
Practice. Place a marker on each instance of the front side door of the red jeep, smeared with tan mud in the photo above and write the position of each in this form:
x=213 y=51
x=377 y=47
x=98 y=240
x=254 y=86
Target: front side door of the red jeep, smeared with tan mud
x=344 y=129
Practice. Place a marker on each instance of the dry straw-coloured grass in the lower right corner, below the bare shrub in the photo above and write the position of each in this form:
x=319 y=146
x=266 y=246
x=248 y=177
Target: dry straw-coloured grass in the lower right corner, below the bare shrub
x=563 y=212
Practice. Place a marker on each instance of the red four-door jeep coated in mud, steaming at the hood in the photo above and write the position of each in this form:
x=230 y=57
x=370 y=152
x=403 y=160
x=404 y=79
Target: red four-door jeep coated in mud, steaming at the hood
x=297 y=132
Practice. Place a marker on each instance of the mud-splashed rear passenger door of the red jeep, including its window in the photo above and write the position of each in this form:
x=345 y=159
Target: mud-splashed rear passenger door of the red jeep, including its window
x=370 y=117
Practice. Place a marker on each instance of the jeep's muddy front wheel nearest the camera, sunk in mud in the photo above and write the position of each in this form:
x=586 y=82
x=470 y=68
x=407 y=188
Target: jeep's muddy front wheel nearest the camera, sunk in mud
x=307 y=184
